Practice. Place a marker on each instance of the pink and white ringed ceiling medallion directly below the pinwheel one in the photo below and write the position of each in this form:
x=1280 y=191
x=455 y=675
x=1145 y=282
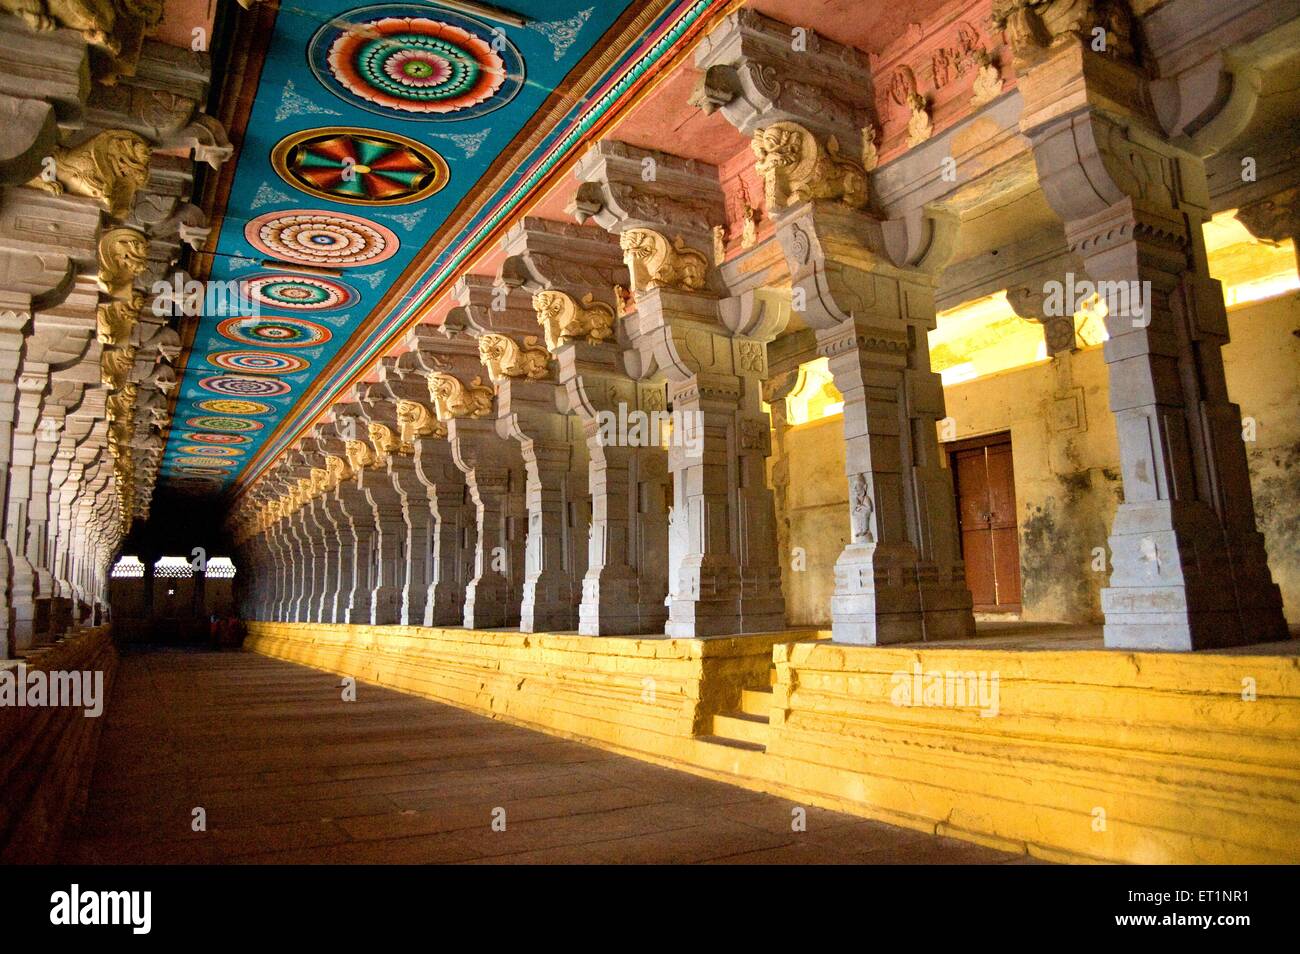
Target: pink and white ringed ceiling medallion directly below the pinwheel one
x=333 y=240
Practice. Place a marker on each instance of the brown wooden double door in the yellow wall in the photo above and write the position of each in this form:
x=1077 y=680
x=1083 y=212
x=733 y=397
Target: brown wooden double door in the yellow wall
x=985 y=482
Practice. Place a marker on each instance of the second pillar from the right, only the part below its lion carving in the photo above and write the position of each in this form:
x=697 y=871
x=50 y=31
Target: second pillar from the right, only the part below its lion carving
x=902 y=578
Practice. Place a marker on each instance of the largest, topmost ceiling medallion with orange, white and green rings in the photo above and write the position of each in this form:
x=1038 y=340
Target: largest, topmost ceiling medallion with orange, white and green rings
x=395 y=59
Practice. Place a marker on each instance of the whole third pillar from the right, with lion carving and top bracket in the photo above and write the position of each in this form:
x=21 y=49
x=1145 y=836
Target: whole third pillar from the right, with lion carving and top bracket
x=712 y=349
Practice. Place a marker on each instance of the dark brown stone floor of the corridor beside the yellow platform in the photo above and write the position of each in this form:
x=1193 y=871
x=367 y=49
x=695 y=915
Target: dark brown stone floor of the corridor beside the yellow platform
x=288 y=773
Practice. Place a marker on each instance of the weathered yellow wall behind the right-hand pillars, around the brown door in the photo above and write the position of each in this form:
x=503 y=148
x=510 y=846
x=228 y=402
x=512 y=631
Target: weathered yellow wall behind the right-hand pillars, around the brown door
x=1067 y=470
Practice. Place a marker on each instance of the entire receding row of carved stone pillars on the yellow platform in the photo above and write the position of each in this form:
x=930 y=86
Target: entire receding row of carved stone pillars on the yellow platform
x=471 y=483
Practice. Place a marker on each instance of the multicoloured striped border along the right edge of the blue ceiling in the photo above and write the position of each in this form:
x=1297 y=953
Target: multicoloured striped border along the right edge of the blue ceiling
x=630 y=77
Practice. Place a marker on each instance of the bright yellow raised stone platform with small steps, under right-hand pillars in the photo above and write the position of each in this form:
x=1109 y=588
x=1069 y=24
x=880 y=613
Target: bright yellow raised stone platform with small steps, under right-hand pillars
x=1082 y=756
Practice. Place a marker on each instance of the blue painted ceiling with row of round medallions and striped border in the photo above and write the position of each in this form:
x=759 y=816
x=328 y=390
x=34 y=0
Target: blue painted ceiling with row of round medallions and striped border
x=369 y=128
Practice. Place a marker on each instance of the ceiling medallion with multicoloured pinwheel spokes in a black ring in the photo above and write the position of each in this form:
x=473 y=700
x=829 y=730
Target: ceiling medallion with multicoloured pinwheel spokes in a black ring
x=363 y=167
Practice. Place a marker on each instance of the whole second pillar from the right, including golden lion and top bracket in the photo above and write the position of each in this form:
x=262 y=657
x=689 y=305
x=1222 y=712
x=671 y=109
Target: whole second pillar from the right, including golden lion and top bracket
x=866 y=288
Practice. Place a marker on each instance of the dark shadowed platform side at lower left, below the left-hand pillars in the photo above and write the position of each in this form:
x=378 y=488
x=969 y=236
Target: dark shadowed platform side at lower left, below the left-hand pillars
x=47 y=754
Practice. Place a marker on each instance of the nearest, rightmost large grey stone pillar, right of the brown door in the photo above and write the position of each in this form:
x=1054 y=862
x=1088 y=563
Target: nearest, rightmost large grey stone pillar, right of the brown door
x=1189 y=565
